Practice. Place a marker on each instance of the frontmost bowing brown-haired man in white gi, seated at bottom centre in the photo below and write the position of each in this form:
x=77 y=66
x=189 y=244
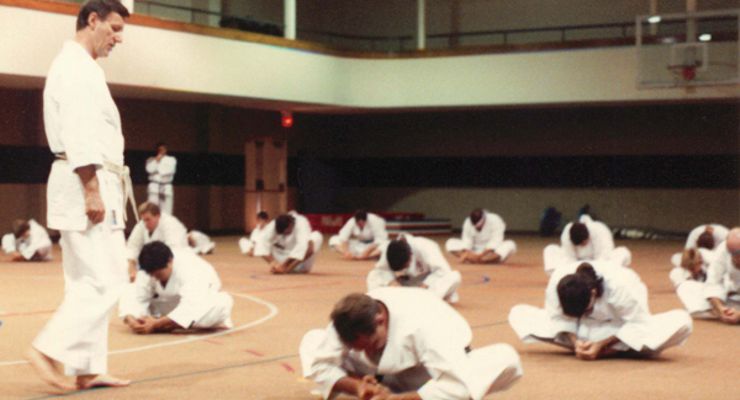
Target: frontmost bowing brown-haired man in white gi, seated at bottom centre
x=403 y=343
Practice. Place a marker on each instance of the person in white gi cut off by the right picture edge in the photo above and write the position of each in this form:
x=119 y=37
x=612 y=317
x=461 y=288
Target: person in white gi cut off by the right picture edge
x=722 y=288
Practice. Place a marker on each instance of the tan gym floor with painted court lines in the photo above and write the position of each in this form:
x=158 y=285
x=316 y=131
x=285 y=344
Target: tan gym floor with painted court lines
x=258 y=359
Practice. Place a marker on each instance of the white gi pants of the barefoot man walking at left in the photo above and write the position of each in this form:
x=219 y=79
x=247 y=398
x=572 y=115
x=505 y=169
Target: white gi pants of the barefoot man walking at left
x=95 y=271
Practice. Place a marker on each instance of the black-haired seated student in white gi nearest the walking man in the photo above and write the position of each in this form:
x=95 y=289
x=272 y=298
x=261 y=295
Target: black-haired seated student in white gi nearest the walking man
x=175 y=289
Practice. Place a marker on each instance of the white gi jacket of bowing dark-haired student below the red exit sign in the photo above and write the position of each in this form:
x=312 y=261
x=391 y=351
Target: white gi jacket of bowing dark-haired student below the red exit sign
x=282 y=247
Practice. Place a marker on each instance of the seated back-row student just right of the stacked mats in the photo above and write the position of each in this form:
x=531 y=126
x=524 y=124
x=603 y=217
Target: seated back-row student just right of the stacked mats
x=482 y=239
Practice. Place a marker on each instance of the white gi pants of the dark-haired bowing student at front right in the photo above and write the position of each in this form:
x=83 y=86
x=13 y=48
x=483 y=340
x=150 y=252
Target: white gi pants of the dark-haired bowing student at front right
x=660 y=332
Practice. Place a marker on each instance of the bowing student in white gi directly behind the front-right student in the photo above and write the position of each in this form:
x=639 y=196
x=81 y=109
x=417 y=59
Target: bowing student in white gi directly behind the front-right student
x=585 y=240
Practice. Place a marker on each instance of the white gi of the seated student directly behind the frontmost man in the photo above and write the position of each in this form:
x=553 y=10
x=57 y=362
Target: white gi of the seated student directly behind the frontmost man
x=428 y=265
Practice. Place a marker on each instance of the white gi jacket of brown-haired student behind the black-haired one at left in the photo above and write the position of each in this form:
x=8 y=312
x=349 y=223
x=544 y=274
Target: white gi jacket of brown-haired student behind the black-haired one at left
x=169 y=230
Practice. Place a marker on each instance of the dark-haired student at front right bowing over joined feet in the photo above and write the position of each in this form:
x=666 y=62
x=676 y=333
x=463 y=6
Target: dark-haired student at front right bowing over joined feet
x=597 y=310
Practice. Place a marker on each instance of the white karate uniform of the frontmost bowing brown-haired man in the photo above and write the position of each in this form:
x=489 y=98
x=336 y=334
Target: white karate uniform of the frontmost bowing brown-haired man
x=425 y=352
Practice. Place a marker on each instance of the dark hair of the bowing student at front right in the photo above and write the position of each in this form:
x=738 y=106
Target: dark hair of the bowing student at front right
x=574 y=290
